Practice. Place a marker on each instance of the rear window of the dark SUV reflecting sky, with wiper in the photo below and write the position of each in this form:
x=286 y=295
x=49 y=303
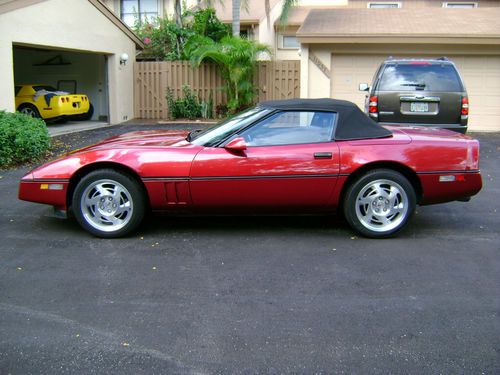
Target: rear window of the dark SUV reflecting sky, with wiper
x=428 y=77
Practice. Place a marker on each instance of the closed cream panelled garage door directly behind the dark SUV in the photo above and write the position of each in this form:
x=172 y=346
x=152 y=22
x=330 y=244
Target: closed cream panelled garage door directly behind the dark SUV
x=481 y=75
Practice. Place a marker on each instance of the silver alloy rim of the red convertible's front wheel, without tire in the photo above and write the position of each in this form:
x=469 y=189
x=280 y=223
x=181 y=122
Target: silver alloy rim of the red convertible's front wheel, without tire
x=107 y=205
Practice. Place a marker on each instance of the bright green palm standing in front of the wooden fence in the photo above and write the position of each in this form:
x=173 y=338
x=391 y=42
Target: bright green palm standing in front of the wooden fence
x=236 y=58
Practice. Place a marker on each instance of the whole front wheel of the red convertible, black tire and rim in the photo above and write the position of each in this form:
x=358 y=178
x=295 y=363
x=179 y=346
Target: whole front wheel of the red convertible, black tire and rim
x=108 y=203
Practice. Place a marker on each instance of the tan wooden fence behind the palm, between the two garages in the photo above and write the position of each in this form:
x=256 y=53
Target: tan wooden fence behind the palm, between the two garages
x=273 y=80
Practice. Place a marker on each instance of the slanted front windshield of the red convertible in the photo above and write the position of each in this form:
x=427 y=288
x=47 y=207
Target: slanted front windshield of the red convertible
x=214 y=135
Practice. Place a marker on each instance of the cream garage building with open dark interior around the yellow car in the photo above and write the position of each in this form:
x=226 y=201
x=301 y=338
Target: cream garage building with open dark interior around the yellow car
x=75 y=45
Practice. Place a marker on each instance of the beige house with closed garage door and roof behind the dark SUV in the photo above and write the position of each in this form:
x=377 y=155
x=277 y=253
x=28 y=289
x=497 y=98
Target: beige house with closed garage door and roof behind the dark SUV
x=340 y=44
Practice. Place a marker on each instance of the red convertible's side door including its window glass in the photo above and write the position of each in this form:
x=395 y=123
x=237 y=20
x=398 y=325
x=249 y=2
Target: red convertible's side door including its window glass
x=270 y=172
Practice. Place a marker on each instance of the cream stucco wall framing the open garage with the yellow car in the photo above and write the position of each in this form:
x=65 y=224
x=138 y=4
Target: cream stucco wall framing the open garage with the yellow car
x=73 y=25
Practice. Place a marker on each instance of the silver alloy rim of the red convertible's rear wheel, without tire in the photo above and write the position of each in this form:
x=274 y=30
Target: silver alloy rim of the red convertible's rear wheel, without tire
x=382 y=205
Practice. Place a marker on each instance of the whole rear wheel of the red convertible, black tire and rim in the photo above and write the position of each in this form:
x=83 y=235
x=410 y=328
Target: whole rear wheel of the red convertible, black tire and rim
x=379 y=203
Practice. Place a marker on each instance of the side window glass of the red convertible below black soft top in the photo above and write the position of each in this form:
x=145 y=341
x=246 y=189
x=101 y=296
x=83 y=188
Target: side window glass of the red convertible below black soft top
x=291 y=127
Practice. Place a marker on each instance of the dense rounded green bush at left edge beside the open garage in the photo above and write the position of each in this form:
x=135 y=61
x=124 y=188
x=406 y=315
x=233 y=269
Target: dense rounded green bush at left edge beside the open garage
x=22 y=138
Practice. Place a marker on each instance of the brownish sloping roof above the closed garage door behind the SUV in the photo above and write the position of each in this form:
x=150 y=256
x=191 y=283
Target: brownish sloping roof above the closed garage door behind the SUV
x=420 y=22
